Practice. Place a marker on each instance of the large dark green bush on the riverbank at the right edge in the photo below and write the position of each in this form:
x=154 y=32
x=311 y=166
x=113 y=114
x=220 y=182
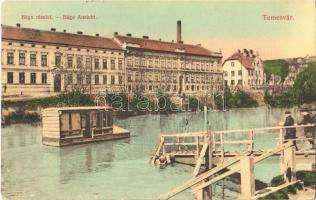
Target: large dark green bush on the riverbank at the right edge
x=303 y=90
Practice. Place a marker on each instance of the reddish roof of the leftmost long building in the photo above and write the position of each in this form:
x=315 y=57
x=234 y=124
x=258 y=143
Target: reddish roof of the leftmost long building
x=58 y=38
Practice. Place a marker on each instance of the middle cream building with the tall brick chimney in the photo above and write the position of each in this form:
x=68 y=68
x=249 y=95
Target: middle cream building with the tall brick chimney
x=171 y=67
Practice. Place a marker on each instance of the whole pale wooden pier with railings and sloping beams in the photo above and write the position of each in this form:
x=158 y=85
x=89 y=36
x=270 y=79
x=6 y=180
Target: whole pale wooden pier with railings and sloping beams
x=207 y=151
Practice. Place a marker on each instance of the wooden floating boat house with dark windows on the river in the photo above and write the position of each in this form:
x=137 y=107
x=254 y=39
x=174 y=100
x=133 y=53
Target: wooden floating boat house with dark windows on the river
x=74 y=125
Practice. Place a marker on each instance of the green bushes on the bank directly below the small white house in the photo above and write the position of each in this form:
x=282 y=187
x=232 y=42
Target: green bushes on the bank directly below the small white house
x=239 y=99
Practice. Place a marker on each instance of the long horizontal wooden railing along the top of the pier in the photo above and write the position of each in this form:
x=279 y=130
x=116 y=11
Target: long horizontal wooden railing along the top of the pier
x=190 y=143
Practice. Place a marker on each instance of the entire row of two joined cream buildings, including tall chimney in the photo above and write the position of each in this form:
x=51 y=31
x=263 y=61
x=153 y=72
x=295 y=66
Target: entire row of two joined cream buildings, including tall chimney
x=38 y=62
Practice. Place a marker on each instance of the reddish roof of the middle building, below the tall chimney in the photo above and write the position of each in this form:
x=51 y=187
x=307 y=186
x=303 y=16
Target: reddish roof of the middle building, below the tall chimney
x=157 y=45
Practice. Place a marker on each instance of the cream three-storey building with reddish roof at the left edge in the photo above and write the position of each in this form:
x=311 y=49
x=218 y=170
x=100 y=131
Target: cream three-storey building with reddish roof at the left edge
x=38 y=62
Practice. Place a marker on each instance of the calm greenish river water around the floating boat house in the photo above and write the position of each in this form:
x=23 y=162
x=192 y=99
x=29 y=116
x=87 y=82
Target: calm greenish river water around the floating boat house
x=116 y=169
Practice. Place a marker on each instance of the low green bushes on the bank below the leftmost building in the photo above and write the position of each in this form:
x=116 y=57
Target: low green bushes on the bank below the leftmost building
x=65 y=99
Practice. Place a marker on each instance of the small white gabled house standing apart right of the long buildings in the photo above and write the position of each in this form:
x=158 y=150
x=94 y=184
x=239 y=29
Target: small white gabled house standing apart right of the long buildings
x=244 y=69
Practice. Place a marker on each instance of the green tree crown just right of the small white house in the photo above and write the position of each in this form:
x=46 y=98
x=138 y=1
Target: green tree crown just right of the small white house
x=277 y=67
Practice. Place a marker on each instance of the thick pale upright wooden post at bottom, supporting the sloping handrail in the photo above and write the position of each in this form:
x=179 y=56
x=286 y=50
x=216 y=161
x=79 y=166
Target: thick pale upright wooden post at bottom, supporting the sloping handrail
x=247 y=177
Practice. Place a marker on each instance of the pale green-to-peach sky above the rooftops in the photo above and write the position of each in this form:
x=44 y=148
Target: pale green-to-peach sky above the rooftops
x=219 y=25
